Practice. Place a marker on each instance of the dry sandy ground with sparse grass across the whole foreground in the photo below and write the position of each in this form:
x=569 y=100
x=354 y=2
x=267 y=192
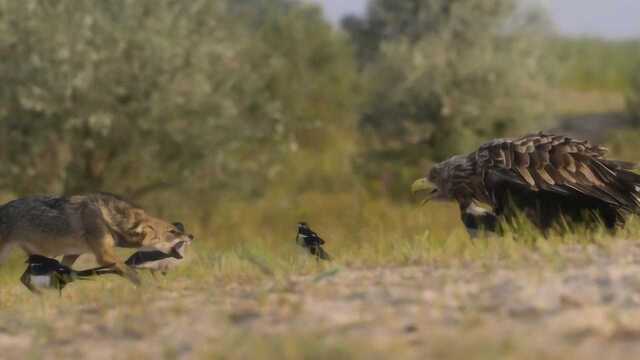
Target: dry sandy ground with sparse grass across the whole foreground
x=582 y=304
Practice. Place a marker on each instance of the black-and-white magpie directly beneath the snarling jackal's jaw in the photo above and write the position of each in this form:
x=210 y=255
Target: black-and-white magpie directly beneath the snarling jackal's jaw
x=155 y=260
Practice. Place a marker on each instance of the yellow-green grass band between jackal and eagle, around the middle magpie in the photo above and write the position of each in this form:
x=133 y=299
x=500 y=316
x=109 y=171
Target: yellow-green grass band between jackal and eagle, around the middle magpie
x=253 y=242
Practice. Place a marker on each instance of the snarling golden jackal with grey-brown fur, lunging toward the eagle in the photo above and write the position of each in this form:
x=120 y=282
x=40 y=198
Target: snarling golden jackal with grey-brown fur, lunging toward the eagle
x=94 y=223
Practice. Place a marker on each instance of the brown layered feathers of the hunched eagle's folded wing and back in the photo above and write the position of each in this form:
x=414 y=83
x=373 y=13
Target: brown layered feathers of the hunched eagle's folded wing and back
x=560 y=164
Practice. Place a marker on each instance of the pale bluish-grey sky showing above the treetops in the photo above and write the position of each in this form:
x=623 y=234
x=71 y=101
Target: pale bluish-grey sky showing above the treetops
x=603 y=18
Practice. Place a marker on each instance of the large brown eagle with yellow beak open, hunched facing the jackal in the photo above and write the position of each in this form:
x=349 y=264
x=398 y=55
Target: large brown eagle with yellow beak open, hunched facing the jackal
x=547 y=178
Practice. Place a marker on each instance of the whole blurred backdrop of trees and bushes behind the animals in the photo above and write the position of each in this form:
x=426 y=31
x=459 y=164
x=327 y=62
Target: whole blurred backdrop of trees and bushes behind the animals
x=241 y=114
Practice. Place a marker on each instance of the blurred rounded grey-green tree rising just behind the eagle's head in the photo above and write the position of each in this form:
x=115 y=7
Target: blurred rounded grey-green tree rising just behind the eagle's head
x=443 y=75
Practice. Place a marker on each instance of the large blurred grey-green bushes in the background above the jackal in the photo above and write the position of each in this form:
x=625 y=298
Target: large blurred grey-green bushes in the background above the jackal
x=136 y=96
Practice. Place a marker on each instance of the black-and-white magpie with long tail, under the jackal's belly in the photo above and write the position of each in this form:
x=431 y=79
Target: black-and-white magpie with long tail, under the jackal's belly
x=46 y=273
